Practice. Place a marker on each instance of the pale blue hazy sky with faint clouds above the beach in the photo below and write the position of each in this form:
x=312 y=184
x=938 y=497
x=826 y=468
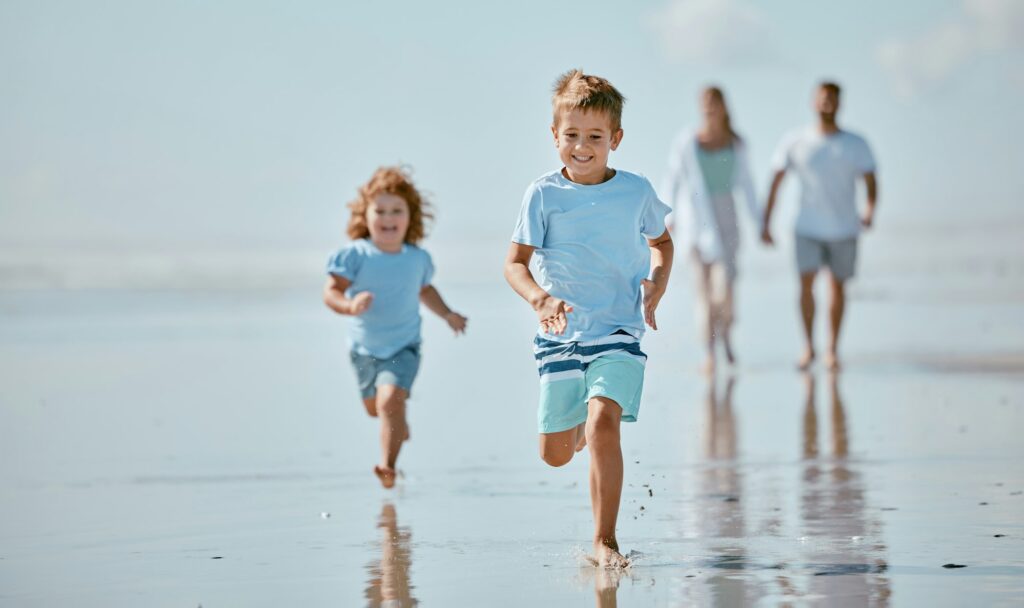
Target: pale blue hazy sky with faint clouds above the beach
x=224 y=124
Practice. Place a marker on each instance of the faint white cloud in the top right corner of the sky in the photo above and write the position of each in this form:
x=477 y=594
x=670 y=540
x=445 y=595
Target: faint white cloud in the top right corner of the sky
x=929 y=60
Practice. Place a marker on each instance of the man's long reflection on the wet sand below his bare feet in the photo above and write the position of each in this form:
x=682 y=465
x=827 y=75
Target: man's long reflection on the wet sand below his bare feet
x=845 y=555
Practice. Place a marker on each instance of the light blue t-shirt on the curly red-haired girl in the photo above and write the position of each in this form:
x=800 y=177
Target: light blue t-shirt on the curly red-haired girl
x=393 y=322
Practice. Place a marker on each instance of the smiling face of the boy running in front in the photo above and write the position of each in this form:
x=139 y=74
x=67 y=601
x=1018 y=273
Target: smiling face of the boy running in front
x=585 y=140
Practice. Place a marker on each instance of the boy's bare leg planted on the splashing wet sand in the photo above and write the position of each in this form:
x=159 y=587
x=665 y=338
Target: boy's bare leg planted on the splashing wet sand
x=606 y=477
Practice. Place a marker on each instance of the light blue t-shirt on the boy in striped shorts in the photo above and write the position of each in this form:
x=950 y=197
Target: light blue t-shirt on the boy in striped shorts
x=592 y=249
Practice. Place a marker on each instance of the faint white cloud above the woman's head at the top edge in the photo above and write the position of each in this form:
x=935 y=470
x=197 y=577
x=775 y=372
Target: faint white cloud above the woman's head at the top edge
x=719 y=33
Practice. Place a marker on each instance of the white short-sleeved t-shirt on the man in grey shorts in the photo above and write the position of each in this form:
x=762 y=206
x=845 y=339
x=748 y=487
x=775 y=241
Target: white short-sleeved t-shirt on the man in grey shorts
x=829 y=166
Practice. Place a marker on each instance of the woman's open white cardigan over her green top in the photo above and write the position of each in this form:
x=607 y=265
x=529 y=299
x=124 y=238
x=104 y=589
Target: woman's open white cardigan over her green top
x=687 y=193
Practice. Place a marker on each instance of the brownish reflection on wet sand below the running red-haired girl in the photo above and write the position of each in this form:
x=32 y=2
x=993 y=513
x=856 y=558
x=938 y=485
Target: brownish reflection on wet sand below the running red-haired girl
x=389 y=584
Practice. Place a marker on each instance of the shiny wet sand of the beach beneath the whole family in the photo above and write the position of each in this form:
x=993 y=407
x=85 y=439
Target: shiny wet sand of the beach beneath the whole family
x=206 y=448
